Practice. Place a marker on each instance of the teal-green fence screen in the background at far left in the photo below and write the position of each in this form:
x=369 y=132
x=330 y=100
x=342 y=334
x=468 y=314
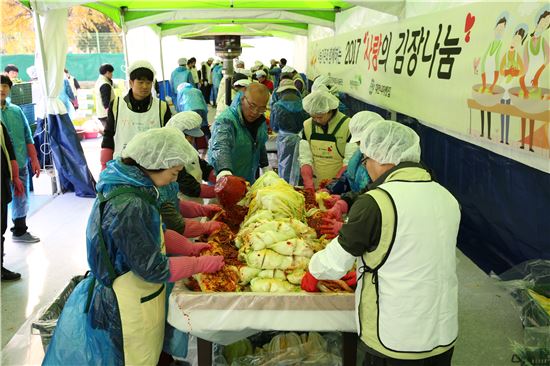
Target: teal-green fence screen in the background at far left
x=82 y=66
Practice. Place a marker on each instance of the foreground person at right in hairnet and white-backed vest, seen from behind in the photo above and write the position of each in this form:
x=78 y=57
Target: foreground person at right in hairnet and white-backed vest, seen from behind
x=402 y=236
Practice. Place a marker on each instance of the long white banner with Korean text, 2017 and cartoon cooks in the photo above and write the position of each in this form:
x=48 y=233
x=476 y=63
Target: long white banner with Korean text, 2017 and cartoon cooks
x=478 y=72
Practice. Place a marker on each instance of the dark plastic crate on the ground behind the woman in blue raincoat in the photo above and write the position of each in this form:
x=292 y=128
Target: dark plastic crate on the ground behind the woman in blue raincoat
x=48 y=319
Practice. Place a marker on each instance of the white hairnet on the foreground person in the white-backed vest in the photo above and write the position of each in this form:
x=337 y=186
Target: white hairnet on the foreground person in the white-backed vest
x=389 y=142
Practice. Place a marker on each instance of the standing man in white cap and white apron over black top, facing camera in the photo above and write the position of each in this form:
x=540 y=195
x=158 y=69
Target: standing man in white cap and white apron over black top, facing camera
x=138 y=111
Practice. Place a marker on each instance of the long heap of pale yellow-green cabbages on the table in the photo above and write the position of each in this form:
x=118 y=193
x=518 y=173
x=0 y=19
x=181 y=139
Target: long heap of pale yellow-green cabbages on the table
x=274 y=241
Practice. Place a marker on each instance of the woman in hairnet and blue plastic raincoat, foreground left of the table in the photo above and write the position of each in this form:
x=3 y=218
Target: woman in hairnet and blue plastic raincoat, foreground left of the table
x=117 y=314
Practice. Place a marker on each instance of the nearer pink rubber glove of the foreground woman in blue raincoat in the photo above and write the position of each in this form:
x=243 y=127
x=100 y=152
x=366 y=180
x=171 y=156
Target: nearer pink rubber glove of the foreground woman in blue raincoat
x=183 y=267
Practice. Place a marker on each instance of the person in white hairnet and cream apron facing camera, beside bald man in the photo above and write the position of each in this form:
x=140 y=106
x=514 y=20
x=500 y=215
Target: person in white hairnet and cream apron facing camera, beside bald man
x=325 y=148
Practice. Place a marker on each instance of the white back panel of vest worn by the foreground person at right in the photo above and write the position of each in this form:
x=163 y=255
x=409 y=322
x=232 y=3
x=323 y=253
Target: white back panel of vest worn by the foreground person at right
x=420 y=315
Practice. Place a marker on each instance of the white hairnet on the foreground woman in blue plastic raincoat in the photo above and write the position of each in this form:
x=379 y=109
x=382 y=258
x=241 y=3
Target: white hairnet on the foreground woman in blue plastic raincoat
x=159 y=148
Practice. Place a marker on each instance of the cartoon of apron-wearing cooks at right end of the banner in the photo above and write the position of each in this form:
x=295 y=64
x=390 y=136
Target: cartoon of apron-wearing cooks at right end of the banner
x=510 y=83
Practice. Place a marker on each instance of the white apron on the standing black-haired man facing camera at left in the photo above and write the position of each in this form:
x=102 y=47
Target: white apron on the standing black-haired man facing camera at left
x=129 y=123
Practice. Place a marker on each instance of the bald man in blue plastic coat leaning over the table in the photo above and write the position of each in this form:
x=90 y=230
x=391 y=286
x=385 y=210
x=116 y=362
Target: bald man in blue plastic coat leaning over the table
x=239 y=134
